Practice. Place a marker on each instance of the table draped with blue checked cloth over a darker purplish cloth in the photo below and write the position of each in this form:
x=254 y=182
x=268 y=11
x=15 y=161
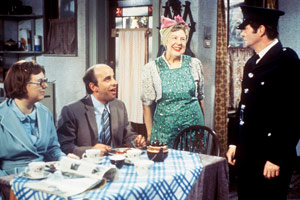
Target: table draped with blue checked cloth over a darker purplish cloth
x=187 y=178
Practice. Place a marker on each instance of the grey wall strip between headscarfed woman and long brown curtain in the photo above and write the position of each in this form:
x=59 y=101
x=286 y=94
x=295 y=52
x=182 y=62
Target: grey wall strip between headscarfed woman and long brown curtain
x=205 y=15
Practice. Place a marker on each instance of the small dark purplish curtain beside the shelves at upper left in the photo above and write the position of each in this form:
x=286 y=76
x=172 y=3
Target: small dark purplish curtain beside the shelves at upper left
x=62 y=36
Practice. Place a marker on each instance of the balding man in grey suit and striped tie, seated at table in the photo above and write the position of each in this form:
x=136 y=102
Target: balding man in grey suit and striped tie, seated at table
x=98 y=120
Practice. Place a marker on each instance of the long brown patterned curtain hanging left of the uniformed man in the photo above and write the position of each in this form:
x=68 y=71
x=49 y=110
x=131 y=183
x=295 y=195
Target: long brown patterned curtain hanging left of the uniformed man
x=222 y=77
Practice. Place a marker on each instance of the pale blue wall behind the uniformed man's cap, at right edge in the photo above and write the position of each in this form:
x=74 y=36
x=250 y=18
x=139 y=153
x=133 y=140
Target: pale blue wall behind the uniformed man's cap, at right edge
x=289 y=24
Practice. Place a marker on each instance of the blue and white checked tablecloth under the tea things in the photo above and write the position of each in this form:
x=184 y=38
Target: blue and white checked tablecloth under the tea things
x=171 y=179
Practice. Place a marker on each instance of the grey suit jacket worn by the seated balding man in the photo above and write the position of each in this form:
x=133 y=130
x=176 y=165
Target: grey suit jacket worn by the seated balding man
x=77 y=129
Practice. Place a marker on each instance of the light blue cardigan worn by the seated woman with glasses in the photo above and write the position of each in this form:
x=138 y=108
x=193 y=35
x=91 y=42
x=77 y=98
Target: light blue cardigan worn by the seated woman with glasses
x=16 y=149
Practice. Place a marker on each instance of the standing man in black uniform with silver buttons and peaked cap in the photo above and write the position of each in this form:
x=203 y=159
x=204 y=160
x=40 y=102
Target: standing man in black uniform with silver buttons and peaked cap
x=264 y=146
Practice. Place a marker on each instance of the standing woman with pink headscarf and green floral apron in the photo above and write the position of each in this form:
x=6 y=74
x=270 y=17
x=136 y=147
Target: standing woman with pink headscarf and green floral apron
x=175 y=83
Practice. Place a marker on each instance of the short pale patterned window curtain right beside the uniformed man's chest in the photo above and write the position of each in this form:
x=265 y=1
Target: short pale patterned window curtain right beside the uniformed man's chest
x=237 y=59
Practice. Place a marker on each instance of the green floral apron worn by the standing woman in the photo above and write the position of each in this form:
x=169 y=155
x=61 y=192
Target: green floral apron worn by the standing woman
x=179 y=107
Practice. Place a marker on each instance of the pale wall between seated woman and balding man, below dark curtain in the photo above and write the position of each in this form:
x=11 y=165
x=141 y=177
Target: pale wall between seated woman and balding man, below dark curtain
x=67 y=72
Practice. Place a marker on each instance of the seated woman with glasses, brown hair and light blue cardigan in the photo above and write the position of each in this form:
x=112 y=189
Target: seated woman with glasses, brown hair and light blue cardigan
x=27 y=131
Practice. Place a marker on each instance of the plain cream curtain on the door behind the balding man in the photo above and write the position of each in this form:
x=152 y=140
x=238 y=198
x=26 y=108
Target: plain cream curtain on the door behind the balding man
x=132 y=57
